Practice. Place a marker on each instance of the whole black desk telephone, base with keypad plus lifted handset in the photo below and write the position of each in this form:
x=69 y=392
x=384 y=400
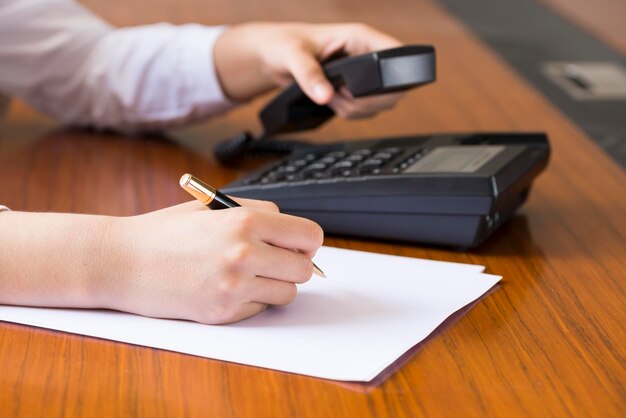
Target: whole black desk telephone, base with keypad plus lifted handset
x=441 y=189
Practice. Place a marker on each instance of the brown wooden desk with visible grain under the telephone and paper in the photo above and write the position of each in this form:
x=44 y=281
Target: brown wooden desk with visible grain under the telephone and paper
x=548 y=342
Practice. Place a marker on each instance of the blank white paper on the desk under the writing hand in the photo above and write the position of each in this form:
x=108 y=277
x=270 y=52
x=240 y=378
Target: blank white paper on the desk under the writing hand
x=370 y=310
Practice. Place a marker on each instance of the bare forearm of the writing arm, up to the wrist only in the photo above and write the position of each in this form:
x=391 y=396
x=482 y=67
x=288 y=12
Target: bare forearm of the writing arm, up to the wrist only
x=49 y=259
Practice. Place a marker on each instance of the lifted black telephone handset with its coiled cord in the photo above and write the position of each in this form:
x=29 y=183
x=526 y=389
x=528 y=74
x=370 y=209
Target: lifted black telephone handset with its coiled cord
x=379 y=72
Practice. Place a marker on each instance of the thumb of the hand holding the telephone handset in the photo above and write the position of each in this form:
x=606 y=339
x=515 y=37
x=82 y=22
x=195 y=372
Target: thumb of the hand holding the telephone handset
x=309 y=75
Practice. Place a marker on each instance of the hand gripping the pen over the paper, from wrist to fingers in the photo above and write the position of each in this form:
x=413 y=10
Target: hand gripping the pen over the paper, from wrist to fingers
x=208 y=266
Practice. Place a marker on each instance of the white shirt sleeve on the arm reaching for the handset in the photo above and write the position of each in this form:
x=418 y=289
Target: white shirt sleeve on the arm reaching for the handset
x=65 y=61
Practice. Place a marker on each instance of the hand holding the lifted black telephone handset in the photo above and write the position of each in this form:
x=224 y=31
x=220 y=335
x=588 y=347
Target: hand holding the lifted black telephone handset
x=253 y=58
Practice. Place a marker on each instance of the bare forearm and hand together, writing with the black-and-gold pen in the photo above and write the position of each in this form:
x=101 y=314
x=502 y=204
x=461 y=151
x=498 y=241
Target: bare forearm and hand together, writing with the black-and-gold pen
x=185 y=262
